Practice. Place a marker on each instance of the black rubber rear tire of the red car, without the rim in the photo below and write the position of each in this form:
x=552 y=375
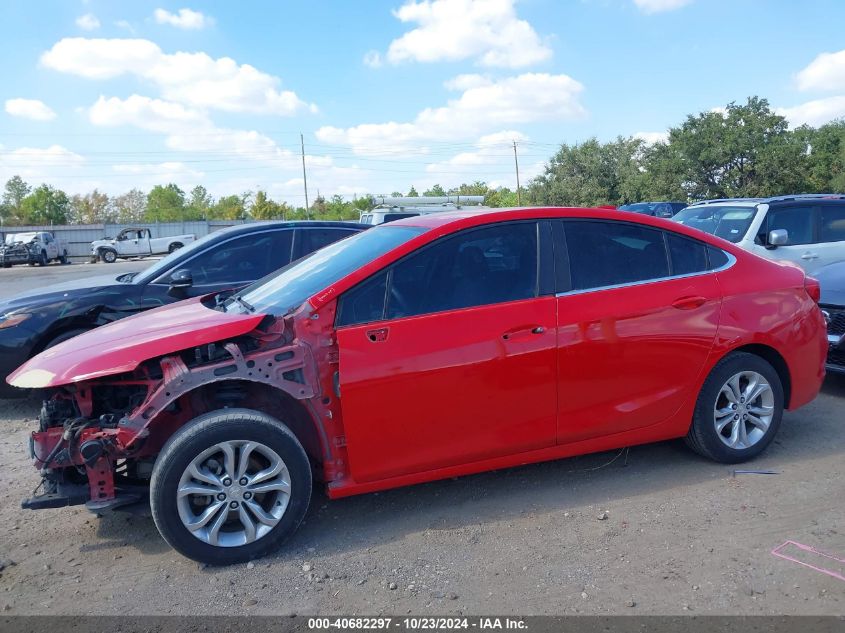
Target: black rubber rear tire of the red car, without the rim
x=703 y=436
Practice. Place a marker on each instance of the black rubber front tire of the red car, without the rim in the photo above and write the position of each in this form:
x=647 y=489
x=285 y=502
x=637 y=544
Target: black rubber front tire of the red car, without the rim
x=202 y=433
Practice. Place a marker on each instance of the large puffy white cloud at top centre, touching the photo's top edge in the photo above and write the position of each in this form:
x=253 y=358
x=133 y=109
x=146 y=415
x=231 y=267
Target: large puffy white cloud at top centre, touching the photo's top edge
x=453 y=30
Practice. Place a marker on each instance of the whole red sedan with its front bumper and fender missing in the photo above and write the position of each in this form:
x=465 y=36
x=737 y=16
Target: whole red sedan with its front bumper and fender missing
x=431 y=347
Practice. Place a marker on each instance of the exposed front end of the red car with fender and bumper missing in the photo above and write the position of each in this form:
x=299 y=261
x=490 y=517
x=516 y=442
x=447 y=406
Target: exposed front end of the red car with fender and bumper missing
x=98 y=439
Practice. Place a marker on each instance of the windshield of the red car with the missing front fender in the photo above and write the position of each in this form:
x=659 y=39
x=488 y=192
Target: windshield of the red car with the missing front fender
x=291 y=286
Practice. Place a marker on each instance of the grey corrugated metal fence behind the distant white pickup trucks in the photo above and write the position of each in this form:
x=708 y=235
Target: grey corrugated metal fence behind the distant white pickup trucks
x=80 y=236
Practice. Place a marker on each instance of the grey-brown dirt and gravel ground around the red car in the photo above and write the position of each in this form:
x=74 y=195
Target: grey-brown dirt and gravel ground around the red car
x=681 y=535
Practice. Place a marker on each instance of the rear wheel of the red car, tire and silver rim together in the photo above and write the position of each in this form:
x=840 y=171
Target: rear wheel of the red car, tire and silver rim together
x=739 y=409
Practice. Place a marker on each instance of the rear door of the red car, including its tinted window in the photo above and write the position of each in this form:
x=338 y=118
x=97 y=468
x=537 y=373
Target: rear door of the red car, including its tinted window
x=635 y=329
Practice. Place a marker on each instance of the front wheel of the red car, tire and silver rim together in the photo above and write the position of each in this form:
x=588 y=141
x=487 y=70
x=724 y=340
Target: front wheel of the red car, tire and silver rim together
x=230 y=486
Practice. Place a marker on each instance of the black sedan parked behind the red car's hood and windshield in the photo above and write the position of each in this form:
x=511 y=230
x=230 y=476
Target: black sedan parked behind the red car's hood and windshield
x=229 y=258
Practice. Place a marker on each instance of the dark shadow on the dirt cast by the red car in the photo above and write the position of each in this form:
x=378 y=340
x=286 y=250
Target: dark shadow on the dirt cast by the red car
x=467 y=503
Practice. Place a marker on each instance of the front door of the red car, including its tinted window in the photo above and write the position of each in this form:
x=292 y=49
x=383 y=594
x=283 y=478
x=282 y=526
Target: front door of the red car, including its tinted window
x=449 y=355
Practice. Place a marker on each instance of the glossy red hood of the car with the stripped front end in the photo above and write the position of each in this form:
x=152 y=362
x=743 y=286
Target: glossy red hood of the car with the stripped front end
x=121 y=346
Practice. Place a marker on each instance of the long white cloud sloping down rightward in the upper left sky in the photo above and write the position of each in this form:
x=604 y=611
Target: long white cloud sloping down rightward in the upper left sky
x=195 y=79
